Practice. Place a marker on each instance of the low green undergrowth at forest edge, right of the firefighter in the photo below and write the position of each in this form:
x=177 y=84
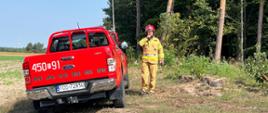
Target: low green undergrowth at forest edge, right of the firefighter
x=199 y=66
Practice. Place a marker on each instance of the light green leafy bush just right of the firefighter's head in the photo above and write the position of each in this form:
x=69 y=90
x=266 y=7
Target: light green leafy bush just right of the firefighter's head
x=177 y=32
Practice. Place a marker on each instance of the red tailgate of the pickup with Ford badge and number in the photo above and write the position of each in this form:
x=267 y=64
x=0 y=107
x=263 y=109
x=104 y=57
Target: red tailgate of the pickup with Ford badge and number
x=71 y=66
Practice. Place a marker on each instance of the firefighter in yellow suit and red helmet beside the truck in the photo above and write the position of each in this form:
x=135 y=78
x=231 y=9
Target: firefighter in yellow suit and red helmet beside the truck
x=152 y=55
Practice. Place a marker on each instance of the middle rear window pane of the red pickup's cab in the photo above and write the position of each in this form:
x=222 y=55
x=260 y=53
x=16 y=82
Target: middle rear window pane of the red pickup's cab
x=79 y=41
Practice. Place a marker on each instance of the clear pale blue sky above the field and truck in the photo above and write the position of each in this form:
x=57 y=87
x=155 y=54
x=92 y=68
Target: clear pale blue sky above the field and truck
x=24 y=21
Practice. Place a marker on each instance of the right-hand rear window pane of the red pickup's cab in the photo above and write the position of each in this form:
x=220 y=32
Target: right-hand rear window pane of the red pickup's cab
x=97 y=39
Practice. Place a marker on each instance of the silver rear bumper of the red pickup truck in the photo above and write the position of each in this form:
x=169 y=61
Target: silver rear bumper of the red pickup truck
x=93 y=86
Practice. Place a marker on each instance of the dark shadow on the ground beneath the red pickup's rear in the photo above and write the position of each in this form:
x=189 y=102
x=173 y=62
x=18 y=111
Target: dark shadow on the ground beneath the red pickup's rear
x=25 y=106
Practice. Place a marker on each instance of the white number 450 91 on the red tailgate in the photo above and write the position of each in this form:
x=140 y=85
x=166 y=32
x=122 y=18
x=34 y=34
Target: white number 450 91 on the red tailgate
x=43 y=66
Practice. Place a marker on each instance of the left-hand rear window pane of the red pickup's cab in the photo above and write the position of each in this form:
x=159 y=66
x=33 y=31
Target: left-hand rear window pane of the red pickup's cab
x=60 y=44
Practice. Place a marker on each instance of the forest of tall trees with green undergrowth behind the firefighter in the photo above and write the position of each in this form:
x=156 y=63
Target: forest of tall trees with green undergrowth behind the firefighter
x=190 y=32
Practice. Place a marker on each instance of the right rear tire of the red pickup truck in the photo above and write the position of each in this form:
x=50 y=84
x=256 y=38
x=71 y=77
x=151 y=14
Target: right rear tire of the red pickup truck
x=120 y=102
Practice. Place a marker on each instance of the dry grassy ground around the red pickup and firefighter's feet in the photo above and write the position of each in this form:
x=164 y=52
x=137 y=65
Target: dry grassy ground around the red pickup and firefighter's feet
x=170 y=96
